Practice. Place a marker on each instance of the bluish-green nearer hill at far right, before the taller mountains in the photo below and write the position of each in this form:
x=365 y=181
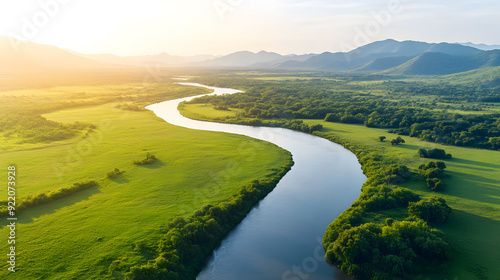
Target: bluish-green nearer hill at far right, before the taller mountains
x=432 y=63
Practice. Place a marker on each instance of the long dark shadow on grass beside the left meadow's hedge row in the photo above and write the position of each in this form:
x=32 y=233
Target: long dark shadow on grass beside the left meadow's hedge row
x=29 y=215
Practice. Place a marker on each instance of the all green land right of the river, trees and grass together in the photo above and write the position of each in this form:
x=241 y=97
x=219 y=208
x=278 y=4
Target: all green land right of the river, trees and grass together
x=464 y=246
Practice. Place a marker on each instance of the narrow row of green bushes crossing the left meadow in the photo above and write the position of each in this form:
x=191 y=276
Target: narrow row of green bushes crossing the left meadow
x=36 y=200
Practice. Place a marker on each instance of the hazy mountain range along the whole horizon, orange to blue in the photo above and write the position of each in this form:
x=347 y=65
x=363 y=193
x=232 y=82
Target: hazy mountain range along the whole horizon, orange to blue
x=388 y=57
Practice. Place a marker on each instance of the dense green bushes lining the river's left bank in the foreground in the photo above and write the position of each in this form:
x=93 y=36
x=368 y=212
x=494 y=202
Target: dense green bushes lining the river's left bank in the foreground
x=188 y=242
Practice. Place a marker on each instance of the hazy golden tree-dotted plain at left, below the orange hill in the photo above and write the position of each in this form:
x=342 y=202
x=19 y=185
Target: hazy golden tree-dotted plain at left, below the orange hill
x=21 y=122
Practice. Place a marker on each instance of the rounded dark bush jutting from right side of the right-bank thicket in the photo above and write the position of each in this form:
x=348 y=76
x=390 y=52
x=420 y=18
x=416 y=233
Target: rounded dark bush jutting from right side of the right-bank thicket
x=433 y=211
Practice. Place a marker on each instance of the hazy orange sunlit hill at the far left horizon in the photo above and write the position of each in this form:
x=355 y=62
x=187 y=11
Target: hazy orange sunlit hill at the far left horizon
x=25 y=64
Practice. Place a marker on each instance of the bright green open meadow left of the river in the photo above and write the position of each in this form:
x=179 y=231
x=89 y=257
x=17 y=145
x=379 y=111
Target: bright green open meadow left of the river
x=79 y=236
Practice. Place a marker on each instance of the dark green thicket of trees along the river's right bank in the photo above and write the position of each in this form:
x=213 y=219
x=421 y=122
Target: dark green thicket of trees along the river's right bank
x=387 y=232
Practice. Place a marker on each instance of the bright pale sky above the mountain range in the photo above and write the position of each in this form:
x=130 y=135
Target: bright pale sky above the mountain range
x=188 y=27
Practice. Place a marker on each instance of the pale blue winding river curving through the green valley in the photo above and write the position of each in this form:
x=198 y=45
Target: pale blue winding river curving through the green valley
x=281 y=237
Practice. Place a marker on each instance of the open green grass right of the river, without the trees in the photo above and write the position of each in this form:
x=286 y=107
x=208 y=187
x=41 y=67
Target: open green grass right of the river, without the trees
x=472 y=190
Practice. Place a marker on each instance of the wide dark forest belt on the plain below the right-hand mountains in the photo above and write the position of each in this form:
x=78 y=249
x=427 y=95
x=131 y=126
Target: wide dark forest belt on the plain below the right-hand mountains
x=417 y=108
